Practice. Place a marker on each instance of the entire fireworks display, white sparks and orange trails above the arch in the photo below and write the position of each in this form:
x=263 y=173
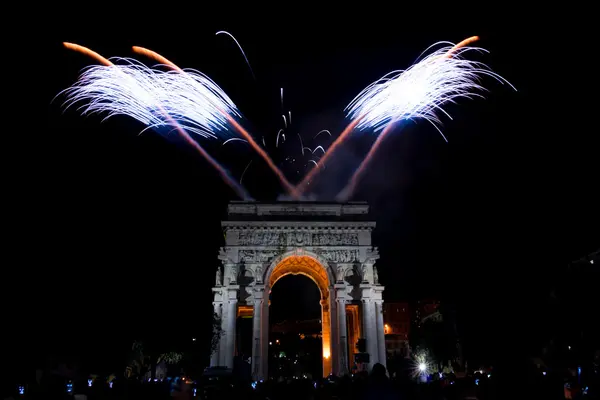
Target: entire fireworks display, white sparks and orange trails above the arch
x=167 y=98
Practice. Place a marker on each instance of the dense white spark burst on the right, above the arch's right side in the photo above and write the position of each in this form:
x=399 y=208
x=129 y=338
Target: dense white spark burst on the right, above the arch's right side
x=421 y=90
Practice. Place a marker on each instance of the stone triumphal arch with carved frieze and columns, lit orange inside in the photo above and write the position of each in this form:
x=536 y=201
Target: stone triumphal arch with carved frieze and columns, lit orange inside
x=328 y=243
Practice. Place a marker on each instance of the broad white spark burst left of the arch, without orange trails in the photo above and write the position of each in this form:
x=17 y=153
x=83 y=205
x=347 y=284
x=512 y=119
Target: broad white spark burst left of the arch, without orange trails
x=155 y=98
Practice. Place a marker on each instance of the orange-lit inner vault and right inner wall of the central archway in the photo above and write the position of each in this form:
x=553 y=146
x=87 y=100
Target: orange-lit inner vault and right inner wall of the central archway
x=318 y=272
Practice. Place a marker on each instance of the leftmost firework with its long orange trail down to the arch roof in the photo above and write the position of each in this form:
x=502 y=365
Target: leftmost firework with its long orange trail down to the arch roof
x=79 y=93
